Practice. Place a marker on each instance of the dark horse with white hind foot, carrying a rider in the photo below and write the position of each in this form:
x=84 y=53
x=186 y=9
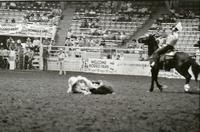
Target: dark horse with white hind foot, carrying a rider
x=181 y=62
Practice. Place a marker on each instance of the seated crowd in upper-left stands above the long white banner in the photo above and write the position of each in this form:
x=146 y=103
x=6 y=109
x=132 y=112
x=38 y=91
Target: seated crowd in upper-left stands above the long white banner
x=47 y=12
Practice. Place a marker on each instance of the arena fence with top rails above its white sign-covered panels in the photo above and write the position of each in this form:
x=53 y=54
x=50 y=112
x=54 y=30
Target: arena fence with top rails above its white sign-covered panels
x=105 y=61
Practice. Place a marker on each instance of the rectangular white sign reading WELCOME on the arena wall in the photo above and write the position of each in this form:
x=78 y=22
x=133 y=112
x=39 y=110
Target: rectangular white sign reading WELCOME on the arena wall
x=103 y=66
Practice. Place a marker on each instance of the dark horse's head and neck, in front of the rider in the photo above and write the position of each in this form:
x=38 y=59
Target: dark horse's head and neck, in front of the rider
x=150 y=41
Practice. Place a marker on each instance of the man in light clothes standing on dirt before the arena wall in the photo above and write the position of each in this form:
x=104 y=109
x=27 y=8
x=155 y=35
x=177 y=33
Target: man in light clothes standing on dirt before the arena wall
x=61 y=58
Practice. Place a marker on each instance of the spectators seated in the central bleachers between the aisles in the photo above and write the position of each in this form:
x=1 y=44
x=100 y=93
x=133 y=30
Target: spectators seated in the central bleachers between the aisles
x=93 y=16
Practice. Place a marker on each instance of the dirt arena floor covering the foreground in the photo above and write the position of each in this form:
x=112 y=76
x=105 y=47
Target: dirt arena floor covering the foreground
x=37 y=102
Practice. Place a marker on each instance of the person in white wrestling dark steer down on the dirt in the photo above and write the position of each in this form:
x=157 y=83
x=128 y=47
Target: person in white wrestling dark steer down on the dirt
x=85 y=86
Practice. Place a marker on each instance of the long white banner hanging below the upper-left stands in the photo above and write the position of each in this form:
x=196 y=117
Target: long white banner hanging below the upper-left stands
x=30 y=30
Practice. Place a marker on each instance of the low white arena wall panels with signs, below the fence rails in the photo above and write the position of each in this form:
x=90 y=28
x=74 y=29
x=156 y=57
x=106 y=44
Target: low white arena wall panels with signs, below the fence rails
x=108 y=66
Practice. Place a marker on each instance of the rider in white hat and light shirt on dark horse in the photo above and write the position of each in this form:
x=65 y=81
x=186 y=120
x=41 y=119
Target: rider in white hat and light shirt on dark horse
x=171 y=41
